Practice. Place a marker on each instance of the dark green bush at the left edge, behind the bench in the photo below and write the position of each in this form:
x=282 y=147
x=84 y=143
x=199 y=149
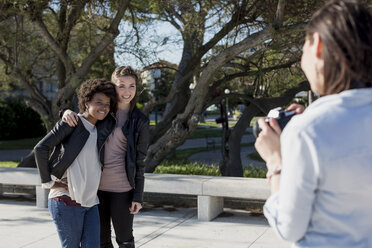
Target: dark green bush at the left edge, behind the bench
x=18 y=121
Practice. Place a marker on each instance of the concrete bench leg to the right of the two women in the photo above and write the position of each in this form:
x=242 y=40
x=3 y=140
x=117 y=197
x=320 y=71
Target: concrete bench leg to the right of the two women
x=209 y=207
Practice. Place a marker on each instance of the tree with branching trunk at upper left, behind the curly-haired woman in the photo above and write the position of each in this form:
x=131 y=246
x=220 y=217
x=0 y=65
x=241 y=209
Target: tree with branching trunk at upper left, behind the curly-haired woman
x=62 y=42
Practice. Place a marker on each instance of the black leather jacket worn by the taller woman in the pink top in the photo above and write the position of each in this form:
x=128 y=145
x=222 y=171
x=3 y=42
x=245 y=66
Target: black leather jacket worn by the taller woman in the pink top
x=136 y=131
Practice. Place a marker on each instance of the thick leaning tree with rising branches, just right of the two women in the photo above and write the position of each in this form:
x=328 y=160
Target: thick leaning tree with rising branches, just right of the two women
x=248 y=24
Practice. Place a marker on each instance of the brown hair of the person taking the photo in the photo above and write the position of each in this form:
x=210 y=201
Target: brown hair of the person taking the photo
x=345 y=29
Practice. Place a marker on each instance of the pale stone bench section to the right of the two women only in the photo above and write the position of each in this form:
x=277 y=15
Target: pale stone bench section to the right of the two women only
x=210 y=191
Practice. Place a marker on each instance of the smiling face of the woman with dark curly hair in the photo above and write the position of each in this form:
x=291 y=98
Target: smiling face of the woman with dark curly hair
x=98 y=108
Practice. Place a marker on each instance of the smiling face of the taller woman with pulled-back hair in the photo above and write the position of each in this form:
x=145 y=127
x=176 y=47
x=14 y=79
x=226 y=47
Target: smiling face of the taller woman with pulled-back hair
x=126 y=89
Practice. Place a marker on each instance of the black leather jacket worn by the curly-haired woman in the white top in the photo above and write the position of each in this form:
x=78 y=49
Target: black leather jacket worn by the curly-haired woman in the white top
x=64 y=143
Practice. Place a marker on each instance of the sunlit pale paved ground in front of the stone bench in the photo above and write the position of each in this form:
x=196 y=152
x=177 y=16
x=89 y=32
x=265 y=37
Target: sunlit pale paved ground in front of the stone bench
x=22 y=225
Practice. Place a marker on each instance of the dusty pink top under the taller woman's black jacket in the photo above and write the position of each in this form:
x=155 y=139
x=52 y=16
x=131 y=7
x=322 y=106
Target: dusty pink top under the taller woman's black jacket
x=114 y=177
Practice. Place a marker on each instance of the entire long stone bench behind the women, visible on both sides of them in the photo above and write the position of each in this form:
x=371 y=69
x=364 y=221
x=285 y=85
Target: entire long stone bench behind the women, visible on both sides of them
x=210 y=191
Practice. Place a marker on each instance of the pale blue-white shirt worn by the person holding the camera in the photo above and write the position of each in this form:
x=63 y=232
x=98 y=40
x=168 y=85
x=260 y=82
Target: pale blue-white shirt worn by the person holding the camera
x=325 y=196
